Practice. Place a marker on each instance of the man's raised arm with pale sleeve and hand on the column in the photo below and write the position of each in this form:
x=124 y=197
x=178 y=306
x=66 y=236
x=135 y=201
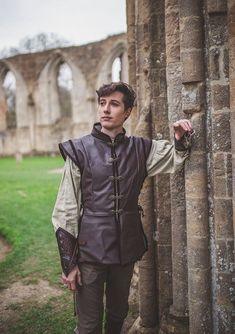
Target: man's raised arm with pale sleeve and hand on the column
x=165 y=157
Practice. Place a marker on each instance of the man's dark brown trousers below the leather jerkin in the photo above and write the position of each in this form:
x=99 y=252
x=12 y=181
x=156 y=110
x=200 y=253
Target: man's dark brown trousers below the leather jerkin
x=111 y=281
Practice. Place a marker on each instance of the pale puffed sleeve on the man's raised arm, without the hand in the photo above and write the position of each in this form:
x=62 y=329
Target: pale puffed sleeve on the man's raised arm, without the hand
x=165 y=157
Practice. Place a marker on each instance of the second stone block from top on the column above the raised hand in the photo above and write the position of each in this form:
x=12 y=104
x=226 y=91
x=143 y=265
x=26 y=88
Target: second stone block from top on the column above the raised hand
x=191 y=33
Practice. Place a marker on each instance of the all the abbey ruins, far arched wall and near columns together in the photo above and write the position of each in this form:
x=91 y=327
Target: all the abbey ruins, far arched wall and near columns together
x=181 y=59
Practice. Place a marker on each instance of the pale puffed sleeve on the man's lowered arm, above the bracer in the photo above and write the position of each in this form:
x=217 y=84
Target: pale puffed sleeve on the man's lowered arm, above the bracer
x=66 y=211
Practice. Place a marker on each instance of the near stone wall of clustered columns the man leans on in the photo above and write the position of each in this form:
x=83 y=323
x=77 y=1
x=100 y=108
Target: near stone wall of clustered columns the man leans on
x=181 y=61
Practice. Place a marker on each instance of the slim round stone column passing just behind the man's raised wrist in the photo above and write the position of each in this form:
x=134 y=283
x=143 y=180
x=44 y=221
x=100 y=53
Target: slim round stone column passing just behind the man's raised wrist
x=179 y=308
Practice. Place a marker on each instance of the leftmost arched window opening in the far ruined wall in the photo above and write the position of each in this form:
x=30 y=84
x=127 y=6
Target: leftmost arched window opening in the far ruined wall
x=9 y=88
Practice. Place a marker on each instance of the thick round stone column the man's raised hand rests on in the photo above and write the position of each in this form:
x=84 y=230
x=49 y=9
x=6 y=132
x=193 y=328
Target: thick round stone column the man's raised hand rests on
x=193 y=98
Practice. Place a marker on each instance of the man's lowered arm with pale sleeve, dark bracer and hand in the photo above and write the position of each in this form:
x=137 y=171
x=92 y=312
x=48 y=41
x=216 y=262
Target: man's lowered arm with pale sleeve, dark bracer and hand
x=65 y=218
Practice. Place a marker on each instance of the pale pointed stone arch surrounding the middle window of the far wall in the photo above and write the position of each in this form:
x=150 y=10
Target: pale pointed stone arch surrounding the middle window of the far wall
x=50 y=121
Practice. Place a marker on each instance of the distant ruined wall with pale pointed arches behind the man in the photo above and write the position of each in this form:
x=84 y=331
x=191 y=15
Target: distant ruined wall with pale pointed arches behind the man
x=39 y=124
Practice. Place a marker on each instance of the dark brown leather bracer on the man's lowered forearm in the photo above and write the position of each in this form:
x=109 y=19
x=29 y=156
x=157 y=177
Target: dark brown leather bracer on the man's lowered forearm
x=68 y=249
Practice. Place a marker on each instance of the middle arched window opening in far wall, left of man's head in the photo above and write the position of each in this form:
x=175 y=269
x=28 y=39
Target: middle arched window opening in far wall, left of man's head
x=65 y=85
